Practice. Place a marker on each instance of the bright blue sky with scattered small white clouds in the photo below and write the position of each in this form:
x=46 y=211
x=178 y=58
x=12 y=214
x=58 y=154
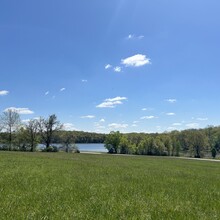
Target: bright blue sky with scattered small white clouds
x=127 y=65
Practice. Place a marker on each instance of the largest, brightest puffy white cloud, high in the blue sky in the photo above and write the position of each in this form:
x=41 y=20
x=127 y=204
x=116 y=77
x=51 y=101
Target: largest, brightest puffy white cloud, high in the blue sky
x=136 y=60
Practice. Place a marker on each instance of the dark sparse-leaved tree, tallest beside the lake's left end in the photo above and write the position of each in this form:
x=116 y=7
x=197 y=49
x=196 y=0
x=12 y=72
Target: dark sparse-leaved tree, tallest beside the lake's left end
x=47 y=127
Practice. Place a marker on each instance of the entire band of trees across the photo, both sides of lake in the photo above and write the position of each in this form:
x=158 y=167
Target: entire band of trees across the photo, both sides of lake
x=15 y=135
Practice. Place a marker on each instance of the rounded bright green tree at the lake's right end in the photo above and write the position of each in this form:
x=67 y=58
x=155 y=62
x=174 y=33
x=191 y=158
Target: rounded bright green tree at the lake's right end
x=112 y=142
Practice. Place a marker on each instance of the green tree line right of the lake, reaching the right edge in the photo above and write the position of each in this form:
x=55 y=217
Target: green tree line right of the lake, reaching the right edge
x=193 y=142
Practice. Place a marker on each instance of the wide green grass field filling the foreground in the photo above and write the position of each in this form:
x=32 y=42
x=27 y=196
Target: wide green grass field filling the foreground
x=83 y=186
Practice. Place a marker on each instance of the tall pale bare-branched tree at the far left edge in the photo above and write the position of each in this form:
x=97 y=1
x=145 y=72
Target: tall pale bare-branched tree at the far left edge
x=10 y=121
